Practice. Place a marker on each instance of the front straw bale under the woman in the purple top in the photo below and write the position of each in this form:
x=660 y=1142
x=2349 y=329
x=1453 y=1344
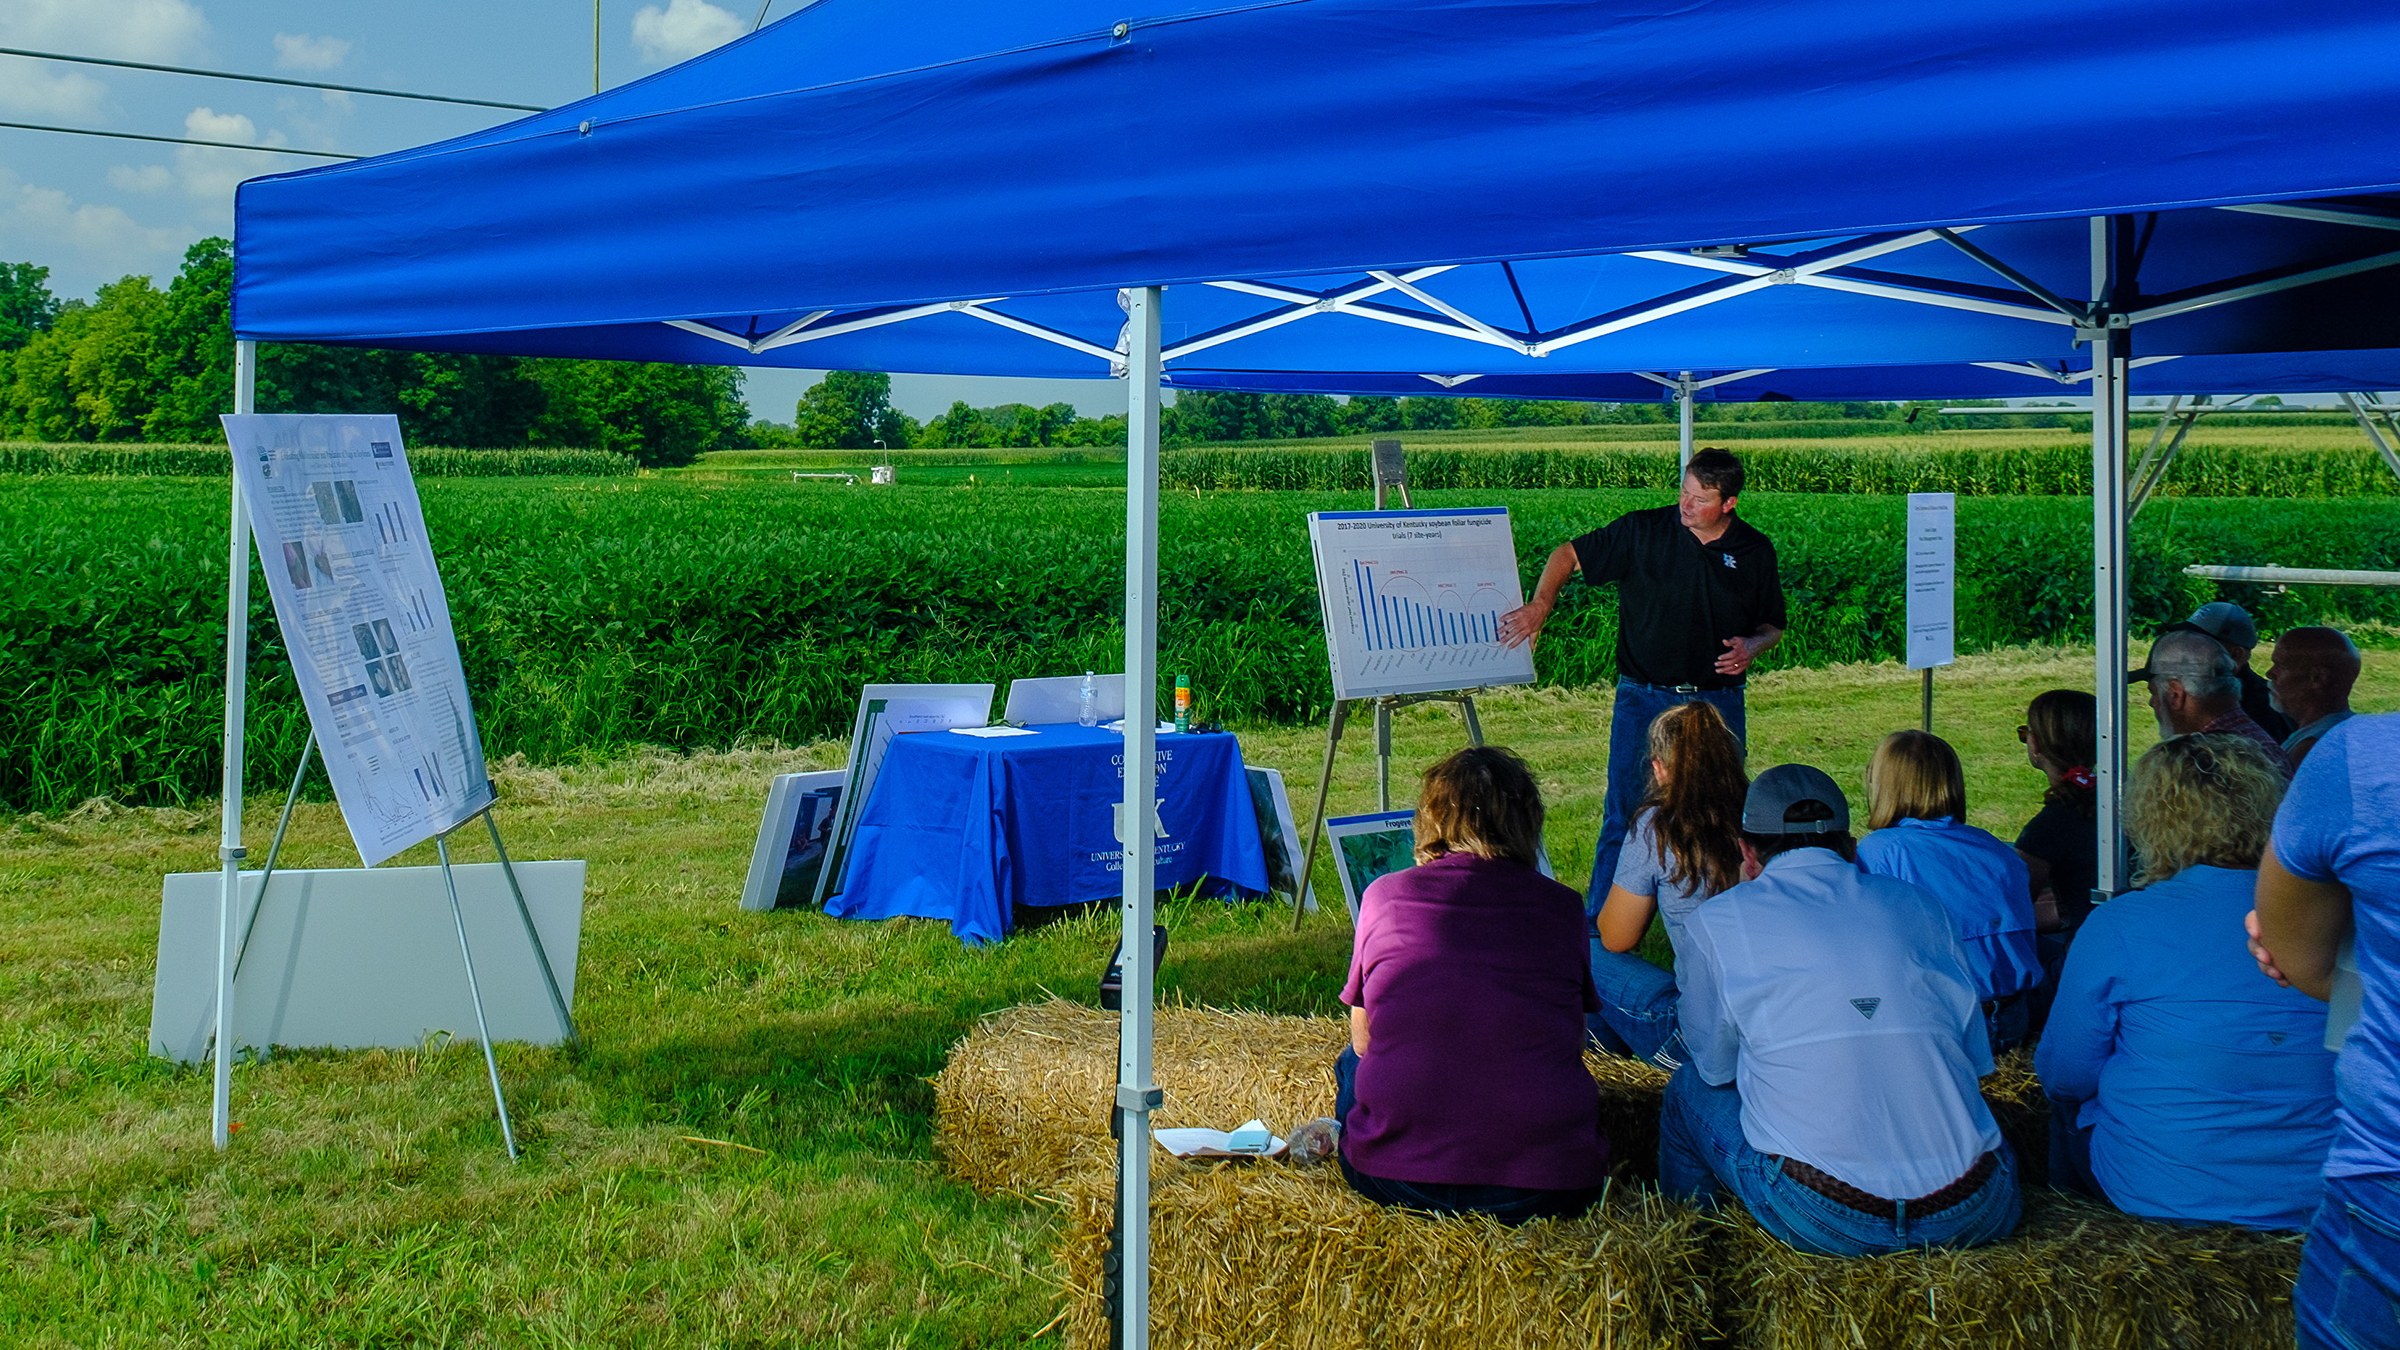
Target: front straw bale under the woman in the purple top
x=1264 y=1255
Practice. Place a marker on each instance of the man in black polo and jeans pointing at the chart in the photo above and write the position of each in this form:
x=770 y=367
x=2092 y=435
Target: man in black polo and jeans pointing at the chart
x=1698 y=602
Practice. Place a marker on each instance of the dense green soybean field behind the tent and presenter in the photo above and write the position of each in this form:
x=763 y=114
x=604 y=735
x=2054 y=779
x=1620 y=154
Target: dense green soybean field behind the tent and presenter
x=707 y=611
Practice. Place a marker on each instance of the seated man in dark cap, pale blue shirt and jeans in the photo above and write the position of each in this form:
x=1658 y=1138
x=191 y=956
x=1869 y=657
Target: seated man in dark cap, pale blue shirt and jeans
x=1835 y=1044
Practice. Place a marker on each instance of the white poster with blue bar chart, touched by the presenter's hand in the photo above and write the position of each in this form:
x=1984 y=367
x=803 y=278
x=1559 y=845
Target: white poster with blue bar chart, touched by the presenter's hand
x=1415 y=599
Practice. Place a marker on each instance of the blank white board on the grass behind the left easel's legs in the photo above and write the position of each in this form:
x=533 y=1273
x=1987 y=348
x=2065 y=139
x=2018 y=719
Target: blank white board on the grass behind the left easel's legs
x=347 y=960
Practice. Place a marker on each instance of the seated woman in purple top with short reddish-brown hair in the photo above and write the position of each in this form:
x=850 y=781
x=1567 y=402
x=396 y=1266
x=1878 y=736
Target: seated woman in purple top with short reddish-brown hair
x=1465 y=1089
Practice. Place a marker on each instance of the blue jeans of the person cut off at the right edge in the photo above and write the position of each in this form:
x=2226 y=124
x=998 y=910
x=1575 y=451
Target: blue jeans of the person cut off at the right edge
x=2348 y=1294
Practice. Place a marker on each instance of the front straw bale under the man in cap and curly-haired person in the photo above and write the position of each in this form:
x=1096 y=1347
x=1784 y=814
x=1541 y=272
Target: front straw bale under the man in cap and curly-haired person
x=2077 y=1274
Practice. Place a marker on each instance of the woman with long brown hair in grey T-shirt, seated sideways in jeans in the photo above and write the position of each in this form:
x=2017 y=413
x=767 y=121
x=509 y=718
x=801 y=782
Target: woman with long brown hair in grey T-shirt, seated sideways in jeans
x=1681 y=849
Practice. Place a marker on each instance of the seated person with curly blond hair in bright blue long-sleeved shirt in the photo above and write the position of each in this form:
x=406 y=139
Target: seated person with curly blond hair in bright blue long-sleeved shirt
x=2185 y=1087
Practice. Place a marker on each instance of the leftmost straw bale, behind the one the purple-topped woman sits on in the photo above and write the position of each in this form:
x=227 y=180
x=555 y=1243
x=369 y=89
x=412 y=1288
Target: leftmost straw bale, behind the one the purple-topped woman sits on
x=1026 y=1097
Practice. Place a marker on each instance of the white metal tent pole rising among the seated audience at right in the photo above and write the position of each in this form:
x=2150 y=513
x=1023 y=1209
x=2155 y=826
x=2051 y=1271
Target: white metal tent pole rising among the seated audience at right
x=2111 y=599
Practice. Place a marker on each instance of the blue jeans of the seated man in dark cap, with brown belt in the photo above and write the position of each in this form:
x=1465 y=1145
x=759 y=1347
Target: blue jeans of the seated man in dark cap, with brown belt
x=1703 y=1157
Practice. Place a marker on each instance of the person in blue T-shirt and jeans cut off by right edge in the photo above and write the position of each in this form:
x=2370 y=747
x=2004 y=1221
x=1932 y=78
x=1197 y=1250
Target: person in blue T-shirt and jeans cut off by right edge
x=2332 y=871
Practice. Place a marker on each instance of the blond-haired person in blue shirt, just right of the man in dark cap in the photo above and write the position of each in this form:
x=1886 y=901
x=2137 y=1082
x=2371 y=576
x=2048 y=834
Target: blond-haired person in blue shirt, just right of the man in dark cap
x=1916 y=808
